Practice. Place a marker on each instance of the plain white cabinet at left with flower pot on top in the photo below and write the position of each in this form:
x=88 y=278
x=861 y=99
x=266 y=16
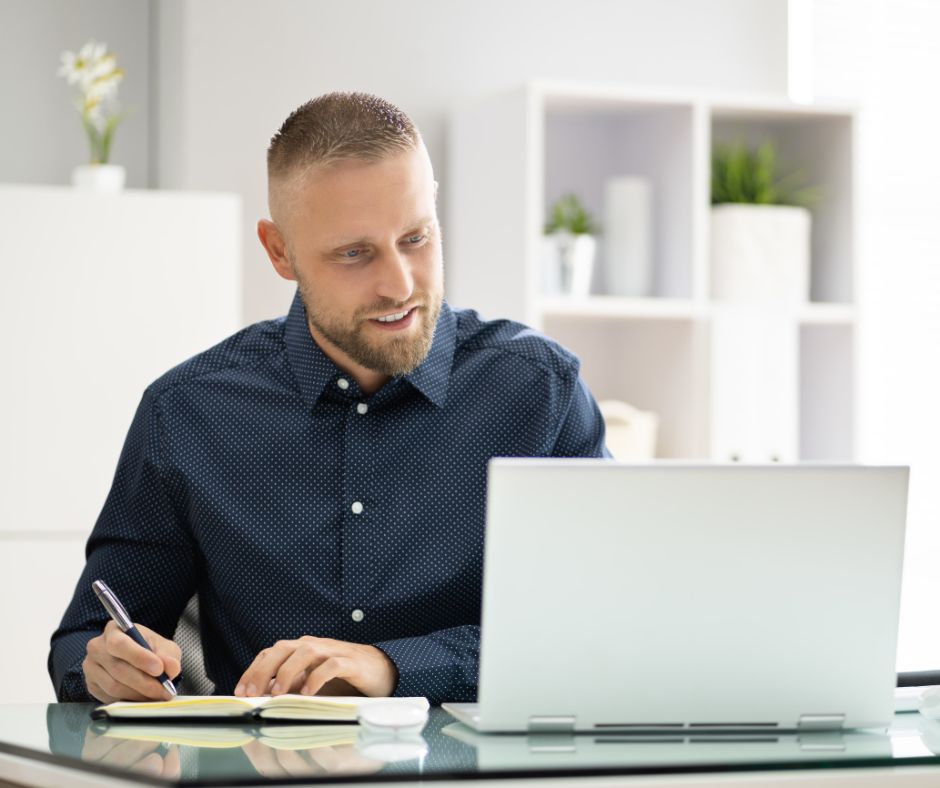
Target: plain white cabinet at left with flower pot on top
x=99 y=295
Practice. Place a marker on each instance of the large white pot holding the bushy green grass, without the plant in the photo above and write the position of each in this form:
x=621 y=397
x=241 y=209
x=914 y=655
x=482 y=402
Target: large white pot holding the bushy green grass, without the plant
x=760 y=253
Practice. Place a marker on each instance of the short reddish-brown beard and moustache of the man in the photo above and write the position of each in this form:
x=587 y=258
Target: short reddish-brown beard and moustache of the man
x=396 y=355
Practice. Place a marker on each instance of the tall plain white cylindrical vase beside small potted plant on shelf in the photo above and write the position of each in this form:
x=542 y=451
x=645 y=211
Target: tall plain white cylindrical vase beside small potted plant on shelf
x=628 y=231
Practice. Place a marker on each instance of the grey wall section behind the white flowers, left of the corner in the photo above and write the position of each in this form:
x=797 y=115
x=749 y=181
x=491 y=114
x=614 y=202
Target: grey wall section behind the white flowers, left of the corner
x=42 y=131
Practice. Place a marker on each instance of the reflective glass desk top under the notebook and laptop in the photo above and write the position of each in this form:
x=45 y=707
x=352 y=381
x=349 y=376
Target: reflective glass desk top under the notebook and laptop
x=225 y=754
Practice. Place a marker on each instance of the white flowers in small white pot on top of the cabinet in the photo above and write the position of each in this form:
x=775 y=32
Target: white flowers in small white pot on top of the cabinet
x=95 y=73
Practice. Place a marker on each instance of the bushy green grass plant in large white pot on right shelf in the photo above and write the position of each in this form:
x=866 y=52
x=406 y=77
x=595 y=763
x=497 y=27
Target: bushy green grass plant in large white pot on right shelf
x=760 y=227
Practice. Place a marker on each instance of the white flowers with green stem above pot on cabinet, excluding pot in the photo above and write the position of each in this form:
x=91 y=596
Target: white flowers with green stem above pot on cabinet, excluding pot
x=95 y=72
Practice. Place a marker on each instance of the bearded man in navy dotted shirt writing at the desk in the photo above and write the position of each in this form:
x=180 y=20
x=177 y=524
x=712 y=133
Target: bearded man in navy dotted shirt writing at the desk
x=320 y=480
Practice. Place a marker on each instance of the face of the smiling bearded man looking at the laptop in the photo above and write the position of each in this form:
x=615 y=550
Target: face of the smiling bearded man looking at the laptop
x=364 y=245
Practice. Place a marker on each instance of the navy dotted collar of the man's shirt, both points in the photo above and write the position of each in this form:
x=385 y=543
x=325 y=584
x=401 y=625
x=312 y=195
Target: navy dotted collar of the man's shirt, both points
x=314 y=370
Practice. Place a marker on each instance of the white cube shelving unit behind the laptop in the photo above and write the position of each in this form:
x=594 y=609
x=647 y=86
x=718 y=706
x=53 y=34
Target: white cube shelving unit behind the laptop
x=777 y=386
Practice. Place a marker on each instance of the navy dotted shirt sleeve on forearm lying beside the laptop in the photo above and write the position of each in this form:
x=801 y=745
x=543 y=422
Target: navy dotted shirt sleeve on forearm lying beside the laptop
x=440 y=666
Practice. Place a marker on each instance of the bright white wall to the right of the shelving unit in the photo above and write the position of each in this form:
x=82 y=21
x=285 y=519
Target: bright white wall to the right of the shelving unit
x=886 y=55
